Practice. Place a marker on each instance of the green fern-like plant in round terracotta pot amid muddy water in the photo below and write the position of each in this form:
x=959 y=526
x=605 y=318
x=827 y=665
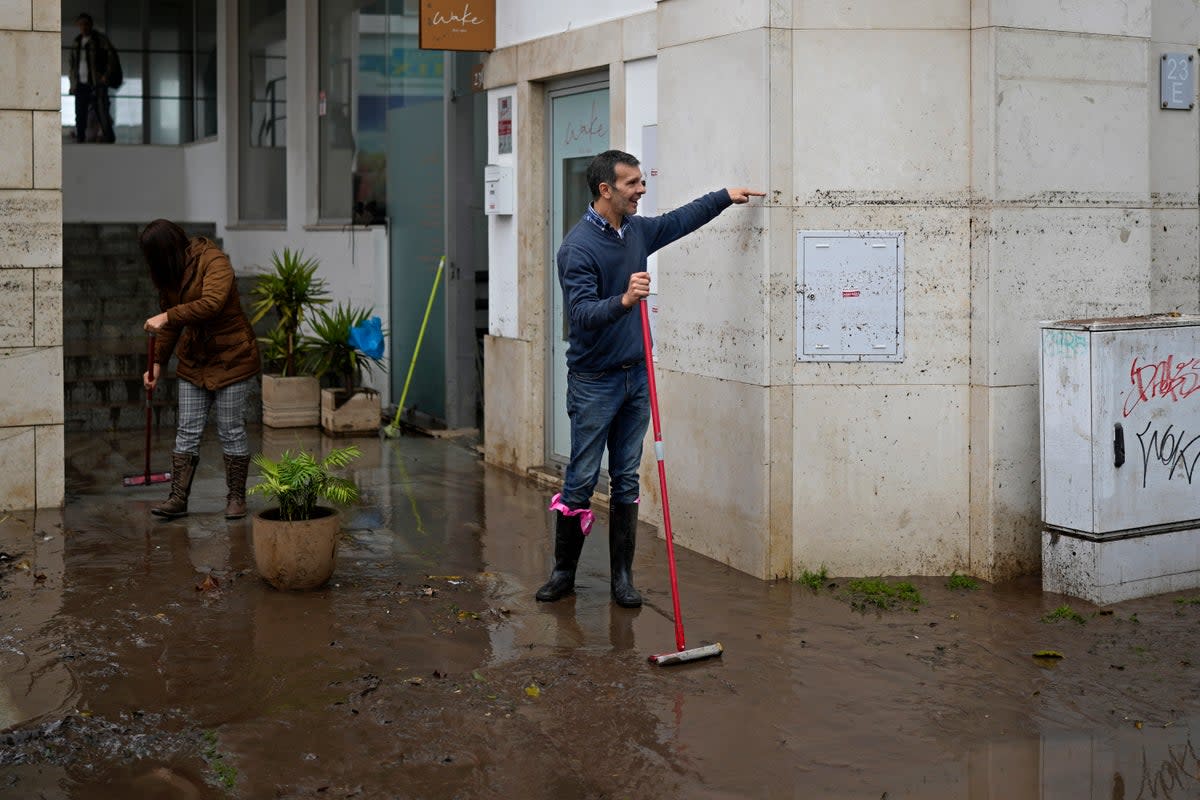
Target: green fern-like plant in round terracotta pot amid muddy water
x=296 y=540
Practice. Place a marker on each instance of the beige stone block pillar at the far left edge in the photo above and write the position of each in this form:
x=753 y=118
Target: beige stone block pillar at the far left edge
x=32 y=462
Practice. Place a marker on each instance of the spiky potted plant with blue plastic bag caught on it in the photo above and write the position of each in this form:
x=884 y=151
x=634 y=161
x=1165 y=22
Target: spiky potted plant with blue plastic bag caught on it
x=346 y=406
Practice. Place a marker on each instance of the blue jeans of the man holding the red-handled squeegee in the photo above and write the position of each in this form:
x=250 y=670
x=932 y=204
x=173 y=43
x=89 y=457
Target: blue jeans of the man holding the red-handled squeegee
x=607 y=410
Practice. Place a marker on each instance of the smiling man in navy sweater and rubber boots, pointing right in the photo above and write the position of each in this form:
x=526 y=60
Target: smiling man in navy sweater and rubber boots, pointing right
x=602 y=269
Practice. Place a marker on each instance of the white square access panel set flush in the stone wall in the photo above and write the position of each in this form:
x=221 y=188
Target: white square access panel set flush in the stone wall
x=850 y=296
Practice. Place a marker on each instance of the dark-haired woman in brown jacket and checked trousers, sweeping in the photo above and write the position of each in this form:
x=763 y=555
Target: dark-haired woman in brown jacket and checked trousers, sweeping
x=217 y=351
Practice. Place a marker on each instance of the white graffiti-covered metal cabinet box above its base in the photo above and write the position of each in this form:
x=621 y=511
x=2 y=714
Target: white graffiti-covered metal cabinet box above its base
x=1121 y=425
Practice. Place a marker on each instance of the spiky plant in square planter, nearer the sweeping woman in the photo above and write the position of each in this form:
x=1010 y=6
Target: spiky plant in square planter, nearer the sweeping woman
x=291 y=290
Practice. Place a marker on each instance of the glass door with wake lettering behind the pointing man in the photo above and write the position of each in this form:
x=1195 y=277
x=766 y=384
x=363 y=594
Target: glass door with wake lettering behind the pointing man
x=579 y=129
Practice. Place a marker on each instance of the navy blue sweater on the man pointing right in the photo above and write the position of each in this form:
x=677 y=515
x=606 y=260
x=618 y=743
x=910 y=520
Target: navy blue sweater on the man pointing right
x=595 y=266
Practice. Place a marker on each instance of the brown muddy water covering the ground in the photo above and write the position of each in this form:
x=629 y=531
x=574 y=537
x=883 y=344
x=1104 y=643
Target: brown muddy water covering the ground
x=425 y=670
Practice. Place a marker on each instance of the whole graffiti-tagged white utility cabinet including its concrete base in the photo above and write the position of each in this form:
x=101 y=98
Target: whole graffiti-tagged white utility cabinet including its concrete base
x=1120 y=452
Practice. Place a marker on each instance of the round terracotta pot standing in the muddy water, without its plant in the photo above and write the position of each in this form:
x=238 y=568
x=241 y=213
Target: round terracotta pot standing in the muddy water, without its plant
x=296 y=555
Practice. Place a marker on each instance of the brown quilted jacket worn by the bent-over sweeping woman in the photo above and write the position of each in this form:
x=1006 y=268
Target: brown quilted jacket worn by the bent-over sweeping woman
x=217 y=344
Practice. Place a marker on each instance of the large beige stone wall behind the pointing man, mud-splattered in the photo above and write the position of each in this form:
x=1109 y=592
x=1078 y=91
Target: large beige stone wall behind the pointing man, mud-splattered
x=1021 y=148
